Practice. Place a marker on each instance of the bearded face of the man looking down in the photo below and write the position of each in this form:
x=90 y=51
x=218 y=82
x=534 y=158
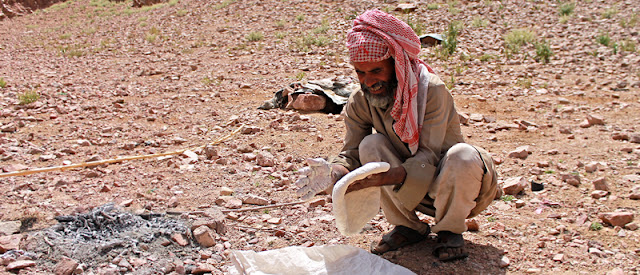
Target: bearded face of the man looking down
x=378 y=81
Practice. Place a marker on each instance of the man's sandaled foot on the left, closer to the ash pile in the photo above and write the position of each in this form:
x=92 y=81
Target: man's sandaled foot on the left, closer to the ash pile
x=398 y=237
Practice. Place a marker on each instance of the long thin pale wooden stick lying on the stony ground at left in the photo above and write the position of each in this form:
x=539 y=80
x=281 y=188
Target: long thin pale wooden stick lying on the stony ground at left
x=119 y=159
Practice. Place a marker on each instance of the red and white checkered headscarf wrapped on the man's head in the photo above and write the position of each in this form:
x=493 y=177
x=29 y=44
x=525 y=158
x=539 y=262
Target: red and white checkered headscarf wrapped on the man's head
x=376 y=36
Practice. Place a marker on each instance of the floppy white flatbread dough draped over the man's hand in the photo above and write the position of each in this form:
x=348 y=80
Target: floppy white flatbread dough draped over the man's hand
x=353 y=210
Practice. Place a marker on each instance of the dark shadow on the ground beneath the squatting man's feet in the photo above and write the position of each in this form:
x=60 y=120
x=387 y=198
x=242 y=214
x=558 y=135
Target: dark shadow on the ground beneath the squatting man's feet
x=483 y=259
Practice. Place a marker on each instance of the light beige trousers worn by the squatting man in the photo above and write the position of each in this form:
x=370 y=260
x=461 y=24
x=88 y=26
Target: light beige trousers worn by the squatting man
x=464 y=185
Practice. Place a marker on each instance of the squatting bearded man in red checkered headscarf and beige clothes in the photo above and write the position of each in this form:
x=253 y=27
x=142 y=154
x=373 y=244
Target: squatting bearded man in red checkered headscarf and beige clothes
x=417 y=131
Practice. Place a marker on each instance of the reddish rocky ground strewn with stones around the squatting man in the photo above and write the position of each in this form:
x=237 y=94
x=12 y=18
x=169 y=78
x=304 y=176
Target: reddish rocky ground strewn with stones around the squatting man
x=92 y=79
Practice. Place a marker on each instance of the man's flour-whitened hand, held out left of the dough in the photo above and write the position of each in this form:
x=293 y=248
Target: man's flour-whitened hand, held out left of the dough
x=319 y=176
